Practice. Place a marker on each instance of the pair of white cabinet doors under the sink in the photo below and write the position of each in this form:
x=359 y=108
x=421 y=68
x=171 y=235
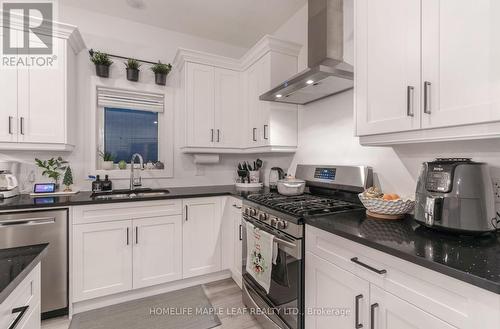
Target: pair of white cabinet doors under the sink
x=117 y=256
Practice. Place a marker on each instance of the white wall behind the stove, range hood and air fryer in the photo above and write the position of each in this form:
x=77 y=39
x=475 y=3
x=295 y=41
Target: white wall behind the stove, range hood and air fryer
x=326 y=132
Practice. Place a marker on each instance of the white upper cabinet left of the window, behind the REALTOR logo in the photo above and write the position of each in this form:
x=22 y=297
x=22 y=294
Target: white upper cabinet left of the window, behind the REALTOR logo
x=39 y=115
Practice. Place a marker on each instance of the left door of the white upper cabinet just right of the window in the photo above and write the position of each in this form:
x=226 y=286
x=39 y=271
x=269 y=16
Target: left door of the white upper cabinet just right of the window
x=200 y=105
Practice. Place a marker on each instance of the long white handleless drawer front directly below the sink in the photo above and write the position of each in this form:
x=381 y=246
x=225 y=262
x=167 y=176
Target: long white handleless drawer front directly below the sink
x=125 y=210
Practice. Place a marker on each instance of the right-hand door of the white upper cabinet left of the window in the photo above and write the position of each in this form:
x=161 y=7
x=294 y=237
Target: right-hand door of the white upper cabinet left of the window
x=42 y=100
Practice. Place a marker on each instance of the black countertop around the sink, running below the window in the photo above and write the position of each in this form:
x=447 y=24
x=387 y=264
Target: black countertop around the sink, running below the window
x=25 y=201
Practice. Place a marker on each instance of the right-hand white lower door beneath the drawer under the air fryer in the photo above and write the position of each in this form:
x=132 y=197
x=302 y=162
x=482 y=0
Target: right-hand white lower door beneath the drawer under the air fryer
x=390 y=312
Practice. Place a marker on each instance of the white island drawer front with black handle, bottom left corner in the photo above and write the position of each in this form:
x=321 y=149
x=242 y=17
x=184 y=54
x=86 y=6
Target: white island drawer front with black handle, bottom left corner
x=27 y=293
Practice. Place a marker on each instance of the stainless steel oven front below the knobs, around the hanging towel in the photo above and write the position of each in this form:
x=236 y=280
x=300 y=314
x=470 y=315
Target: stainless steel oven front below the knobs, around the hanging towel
x=282 y=307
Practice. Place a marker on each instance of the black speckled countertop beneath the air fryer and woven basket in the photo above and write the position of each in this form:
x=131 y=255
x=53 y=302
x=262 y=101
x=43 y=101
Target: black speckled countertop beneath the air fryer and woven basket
x=475 y=260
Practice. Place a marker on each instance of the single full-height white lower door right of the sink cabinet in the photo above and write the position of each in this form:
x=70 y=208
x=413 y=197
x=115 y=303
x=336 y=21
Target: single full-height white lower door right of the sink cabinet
x=201 y=243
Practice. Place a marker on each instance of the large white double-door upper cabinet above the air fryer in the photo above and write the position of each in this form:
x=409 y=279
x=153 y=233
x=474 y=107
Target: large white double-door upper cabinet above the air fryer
x=425 y=69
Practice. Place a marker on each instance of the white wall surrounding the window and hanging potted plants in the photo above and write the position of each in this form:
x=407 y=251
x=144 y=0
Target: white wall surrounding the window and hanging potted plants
x=126 y=38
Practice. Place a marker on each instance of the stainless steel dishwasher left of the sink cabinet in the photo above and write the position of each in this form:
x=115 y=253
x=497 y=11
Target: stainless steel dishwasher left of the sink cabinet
x=35 y=227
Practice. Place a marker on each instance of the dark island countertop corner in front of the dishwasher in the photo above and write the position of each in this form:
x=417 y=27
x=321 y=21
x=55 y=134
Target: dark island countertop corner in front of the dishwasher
x=16 y=264
